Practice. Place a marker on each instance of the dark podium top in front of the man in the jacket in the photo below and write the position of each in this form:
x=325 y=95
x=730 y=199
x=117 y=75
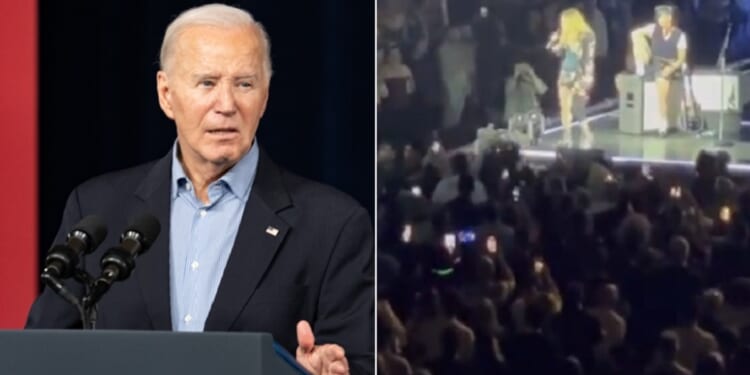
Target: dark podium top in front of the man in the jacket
x=142 y=352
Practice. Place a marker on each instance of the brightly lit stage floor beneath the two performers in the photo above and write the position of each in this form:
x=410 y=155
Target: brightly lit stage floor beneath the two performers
x=681 y=147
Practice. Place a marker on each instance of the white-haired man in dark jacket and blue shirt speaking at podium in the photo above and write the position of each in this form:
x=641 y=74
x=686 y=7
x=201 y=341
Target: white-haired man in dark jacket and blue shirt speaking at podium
x=246 y=246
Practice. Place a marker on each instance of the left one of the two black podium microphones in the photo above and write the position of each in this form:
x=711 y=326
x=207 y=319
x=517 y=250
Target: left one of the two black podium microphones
x=86 y=236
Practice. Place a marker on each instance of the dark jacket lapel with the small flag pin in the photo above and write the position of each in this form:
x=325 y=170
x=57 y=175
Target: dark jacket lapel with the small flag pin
x=260 y=234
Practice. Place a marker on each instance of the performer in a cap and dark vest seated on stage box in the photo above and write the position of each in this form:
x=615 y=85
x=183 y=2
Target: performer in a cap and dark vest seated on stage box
x=668 y=50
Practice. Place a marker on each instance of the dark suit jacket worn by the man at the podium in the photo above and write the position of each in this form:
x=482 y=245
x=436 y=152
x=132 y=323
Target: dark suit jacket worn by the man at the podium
x=318 y=267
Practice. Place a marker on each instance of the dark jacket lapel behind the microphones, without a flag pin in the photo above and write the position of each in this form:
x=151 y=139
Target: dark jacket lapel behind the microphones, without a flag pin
x=152 y=269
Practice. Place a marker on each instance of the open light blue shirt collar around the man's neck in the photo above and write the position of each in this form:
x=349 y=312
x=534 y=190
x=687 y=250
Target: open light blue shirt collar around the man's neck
x=239 y=178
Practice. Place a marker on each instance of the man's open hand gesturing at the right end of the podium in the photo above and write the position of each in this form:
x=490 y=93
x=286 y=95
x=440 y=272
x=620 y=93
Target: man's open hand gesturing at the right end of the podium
x=328 y=359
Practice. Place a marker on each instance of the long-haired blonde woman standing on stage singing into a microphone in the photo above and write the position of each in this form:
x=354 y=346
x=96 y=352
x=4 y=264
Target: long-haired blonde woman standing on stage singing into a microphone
x=575 y=43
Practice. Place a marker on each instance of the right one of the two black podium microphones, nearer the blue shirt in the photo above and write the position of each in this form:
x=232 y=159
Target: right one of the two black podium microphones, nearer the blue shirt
x=119 y=261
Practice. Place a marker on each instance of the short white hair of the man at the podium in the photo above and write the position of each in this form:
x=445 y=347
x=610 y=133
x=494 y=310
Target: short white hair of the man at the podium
x=218 y=15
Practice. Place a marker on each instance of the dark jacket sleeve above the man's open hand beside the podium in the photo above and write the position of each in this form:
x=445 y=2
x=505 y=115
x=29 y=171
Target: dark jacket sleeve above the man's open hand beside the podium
x=346 y=305
